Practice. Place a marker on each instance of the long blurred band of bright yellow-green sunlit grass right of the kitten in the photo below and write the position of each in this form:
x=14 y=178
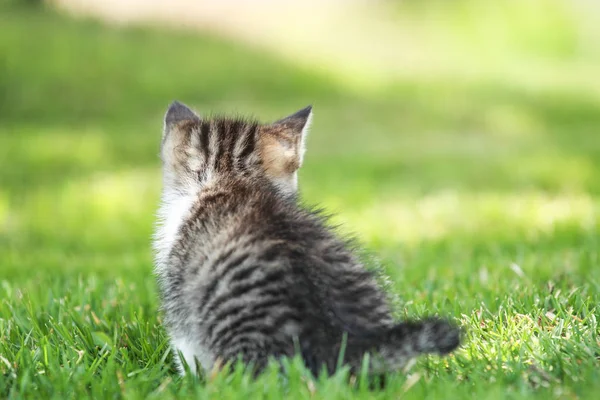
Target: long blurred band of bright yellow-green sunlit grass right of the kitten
x=411 y=220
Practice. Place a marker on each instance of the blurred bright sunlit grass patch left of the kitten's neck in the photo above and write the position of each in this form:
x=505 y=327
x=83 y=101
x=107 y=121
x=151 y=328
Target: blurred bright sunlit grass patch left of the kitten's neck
x=109 y=205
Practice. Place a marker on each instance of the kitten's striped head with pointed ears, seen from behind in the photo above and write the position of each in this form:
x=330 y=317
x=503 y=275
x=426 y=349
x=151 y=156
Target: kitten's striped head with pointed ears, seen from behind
x=196 y=151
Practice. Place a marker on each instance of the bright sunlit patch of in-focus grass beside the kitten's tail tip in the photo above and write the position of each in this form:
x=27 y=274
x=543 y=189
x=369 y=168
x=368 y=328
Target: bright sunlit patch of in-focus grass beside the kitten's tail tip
x=537 y=330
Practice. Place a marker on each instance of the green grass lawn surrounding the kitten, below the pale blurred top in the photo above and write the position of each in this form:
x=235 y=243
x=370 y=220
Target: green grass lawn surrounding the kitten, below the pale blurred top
x=480 y=197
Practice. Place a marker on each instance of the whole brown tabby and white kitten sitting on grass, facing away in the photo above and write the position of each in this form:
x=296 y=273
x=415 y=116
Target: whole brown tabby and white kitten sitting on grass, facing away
x=244 y=271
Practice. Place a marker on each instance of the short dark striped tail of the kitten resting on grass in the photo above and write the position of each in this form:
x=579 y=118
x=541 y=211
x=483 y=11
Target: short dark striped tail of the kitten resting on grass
x=393 y=348
